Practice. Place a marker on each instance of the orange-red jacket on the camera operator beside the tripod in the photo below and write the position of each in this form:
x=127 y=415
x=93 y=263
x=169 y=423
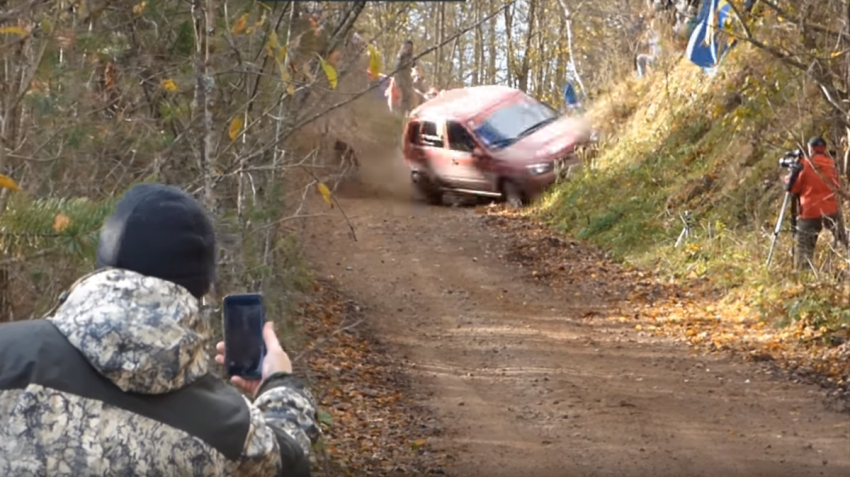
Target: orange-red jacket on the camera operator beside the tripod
x=817 y=198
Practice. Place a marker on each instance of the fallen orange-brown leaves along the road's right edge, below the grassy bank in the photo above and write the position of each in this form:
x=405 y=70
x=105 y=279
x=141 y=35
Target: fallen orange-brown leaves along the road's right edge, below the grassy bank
x=691 y=311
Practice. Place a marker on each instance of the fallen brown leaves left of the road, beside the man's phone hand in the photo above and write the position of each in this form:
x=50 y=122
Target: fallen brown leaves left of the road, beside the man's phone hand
x=371 y=423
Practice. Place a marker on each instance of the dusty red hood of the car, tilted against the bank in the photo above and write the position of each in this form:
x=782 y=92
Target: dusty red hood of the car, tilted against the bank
x=547 y=143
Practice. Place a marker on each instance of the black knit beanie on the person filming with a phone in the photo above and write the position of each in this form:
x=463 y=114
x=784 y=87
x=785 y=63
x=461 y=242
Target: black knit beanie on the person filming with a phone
x=160 y=231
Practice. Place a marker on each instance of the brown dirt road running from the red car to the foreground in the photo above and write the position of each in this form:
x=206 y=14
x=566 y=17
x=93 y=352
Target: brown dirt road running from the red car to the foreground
x=527 y=381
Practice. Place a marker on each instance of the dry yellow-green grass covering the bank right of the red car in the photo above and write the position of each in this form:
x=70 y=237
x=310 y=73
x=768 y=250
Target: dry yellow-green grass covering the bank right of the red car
x=682 y=140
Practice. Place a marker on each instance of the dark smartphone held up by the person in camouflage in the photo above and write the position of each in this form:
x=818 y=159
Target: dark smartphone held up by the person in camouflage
x=243 y=318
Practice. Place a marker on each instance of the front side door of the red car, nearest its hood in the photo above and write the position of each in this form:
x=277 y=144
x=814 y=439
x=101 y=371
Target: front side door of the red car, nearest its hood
x=467 y=171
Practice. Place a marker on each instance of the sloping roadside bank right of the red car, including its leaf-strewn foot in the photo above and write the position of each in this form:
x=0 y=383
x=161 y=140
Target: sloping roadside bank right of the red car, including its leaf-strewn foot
x=680 y=140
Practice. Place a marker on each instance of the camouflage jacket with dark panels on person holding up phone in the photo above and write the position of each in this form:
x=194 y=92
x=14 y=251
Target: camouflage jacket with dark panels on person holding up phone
x=117 y=382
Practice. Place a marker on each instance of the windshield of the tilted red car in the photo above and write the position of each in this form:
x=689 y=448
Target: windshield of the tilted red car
x=512 y=122
